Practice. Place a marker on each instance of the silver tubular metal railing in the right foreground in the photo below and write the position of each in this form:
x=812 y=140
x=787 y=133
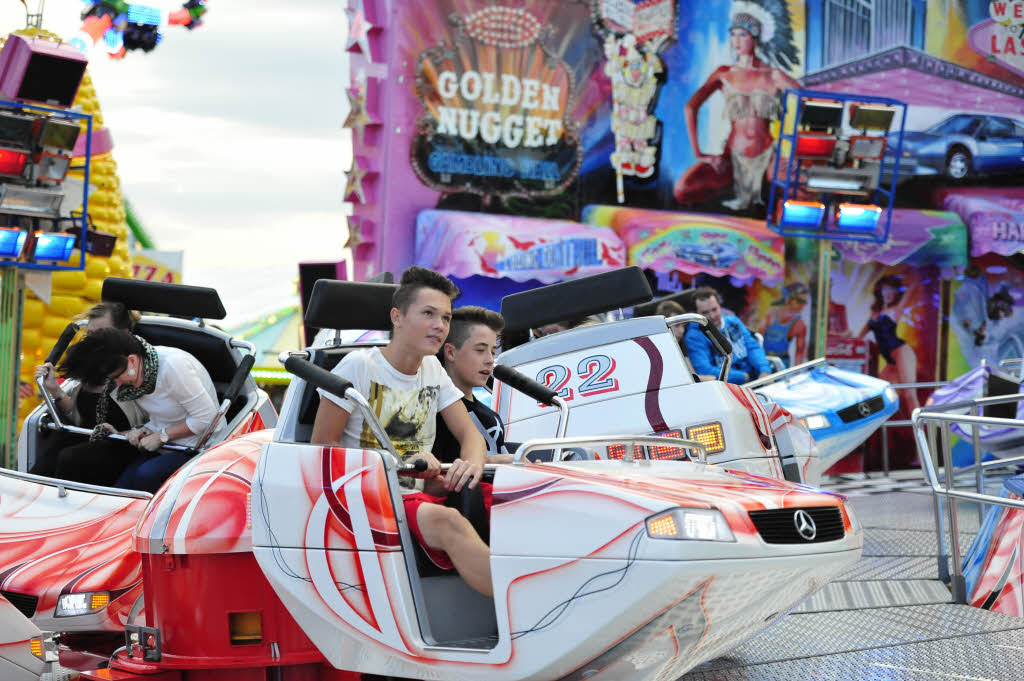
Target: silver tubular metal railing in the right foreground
x=932 y=432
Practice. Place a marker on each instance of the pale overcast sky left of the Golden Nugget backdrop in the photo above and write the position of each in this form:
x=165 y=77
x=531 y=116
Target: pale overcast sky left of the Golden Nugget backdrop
x=229 y=140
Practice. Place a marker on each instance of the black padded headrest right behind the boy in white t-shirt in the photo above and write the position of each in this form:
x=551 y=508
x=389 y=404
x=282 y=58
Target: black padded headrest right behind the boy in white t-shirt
x=337 y=305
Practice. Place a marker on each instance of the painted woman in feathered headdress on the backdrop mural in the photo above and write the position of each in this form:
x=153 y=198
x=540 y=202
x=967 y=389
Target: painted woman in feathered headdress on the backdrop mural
x=761 y=36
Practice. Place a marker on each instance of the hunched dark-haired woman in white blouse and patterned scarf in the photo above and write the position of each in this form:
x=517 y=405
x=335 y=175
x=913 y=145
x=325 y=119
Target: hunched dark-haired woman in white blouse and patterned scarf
x=173 y=392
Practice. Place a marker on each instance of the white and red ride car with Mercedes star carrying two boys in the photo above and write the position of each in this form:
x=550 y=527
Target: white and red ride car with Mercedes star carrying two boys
x=272 y=558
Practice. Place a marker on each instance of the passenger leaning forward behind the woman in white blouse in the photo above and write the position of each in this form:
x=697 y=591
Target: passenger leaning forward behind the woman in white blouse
x=79 y=406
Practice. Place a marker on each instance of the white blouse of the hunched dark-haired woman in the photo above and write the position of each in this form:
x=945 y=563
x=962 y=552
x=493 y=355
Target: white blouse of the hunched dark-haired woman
x=185 y=392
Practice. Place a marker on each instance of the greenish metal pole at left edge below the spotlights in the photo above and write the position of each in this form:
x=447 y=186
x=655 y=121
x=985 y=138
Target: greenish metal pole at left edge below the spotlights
x=12 y=305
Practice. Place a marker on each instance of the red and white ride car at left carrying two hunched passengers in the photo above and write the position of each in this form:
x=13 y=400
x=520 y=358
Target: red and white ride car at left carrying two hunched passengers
x=66 y=549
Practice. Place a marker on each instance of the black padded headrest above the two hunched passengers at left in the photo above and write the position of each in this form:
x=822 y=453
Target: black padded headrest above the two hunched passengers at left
x=174 y=300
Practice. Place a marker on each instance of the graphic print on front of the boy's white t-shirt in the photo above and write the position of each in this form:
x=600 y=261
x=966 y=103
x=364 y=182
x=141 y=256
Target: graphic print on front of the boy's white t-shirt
x=408 y=417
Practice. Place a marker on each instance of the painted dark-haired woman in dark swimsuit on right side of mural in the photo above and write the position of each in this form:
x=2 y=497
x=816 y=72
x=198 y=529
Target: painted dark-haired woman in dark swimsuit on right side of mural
x=886 y=315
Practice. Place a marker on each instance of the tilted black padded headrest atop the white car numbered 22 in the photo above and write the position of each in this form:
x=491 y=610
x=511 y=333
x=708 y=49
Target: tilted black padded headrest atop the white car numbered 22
x=576 y=300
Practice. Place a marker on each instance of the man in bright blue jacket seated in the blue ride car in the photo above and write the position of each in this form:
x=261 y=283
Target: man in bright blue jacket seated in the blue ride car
x=749 y=360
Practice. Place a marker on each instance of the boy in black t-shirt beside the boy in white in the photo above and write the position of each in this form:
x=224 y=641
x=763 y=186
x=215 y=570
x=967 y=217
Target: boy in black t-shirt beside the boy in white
x=468 y=357
